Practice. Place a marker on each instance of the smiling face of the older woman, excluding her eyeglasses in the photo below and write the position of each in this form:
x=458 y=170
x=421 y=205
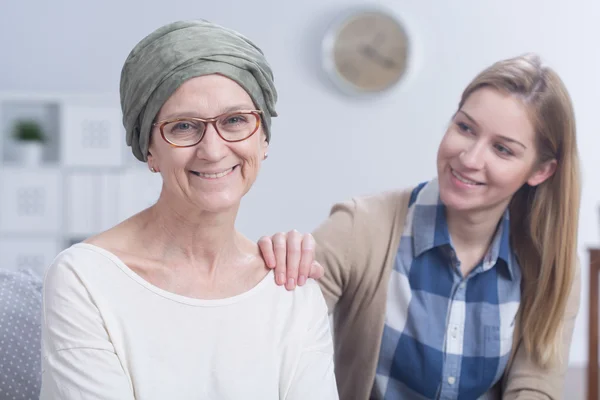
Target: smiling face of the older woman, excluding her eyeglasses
x=214 y=174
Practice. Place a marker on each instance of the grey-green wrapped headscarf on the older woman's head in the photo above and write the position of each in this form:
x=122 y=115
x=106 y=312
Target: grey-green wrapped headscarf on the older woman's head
x=176 y=52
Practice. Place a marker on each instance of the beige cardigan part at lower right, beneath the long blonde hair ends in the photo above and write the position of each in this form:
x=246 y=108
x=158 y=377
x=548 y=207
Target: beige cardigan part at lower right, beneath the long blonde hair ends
x=527 y=380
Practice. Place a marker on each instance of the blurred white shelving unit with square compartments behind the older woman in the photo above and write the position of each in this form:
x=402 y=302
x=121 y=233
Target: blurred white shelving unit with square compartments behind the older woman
x=85 y=182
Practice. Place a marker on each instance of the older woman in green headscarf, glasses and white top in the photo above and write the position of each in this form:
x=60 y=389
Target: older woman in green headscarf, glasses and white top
x=174 y=302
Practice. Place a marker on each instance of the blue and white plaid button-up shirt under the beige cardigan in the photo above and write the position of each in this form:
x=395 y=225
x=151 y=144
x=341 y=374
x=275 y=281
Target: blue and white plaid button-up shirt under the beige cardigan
x=445 y=336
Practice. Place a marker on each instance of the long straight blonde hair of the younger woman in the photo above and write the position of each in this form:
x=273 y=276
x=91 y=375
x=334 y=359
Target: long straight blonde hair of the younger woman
x=544 y=218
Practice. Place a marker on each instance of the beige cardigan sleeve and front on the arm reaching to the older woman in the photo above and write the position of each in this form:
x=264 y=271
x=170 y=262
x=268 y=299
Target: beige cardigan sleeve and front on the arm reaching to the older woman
x=357 y=245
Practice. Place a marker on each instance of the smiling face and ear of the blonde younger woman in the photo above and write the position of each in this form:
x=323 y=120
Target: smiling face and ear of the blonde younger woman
x=488 y=153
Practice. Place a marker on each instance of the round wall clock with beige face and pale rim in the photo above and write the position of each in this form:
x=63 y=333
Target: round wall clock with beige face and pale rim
x=367 y=51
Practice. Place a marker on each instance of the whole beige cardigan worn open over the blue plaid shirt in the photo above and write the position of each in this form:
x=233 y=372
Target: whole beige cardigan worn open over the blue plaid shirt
x=357 y=246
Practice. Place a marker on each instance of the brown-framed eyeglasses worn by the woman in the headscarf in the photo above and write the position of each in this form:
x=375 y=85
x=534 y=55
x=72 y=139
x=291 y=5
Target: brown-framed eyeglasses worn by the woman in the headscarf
x=231 y=127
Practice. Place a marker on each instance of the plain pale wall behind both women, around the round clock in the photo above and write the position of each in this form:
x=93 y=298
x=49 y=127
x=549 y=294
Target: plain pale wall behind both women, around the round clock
x=348 y=146
